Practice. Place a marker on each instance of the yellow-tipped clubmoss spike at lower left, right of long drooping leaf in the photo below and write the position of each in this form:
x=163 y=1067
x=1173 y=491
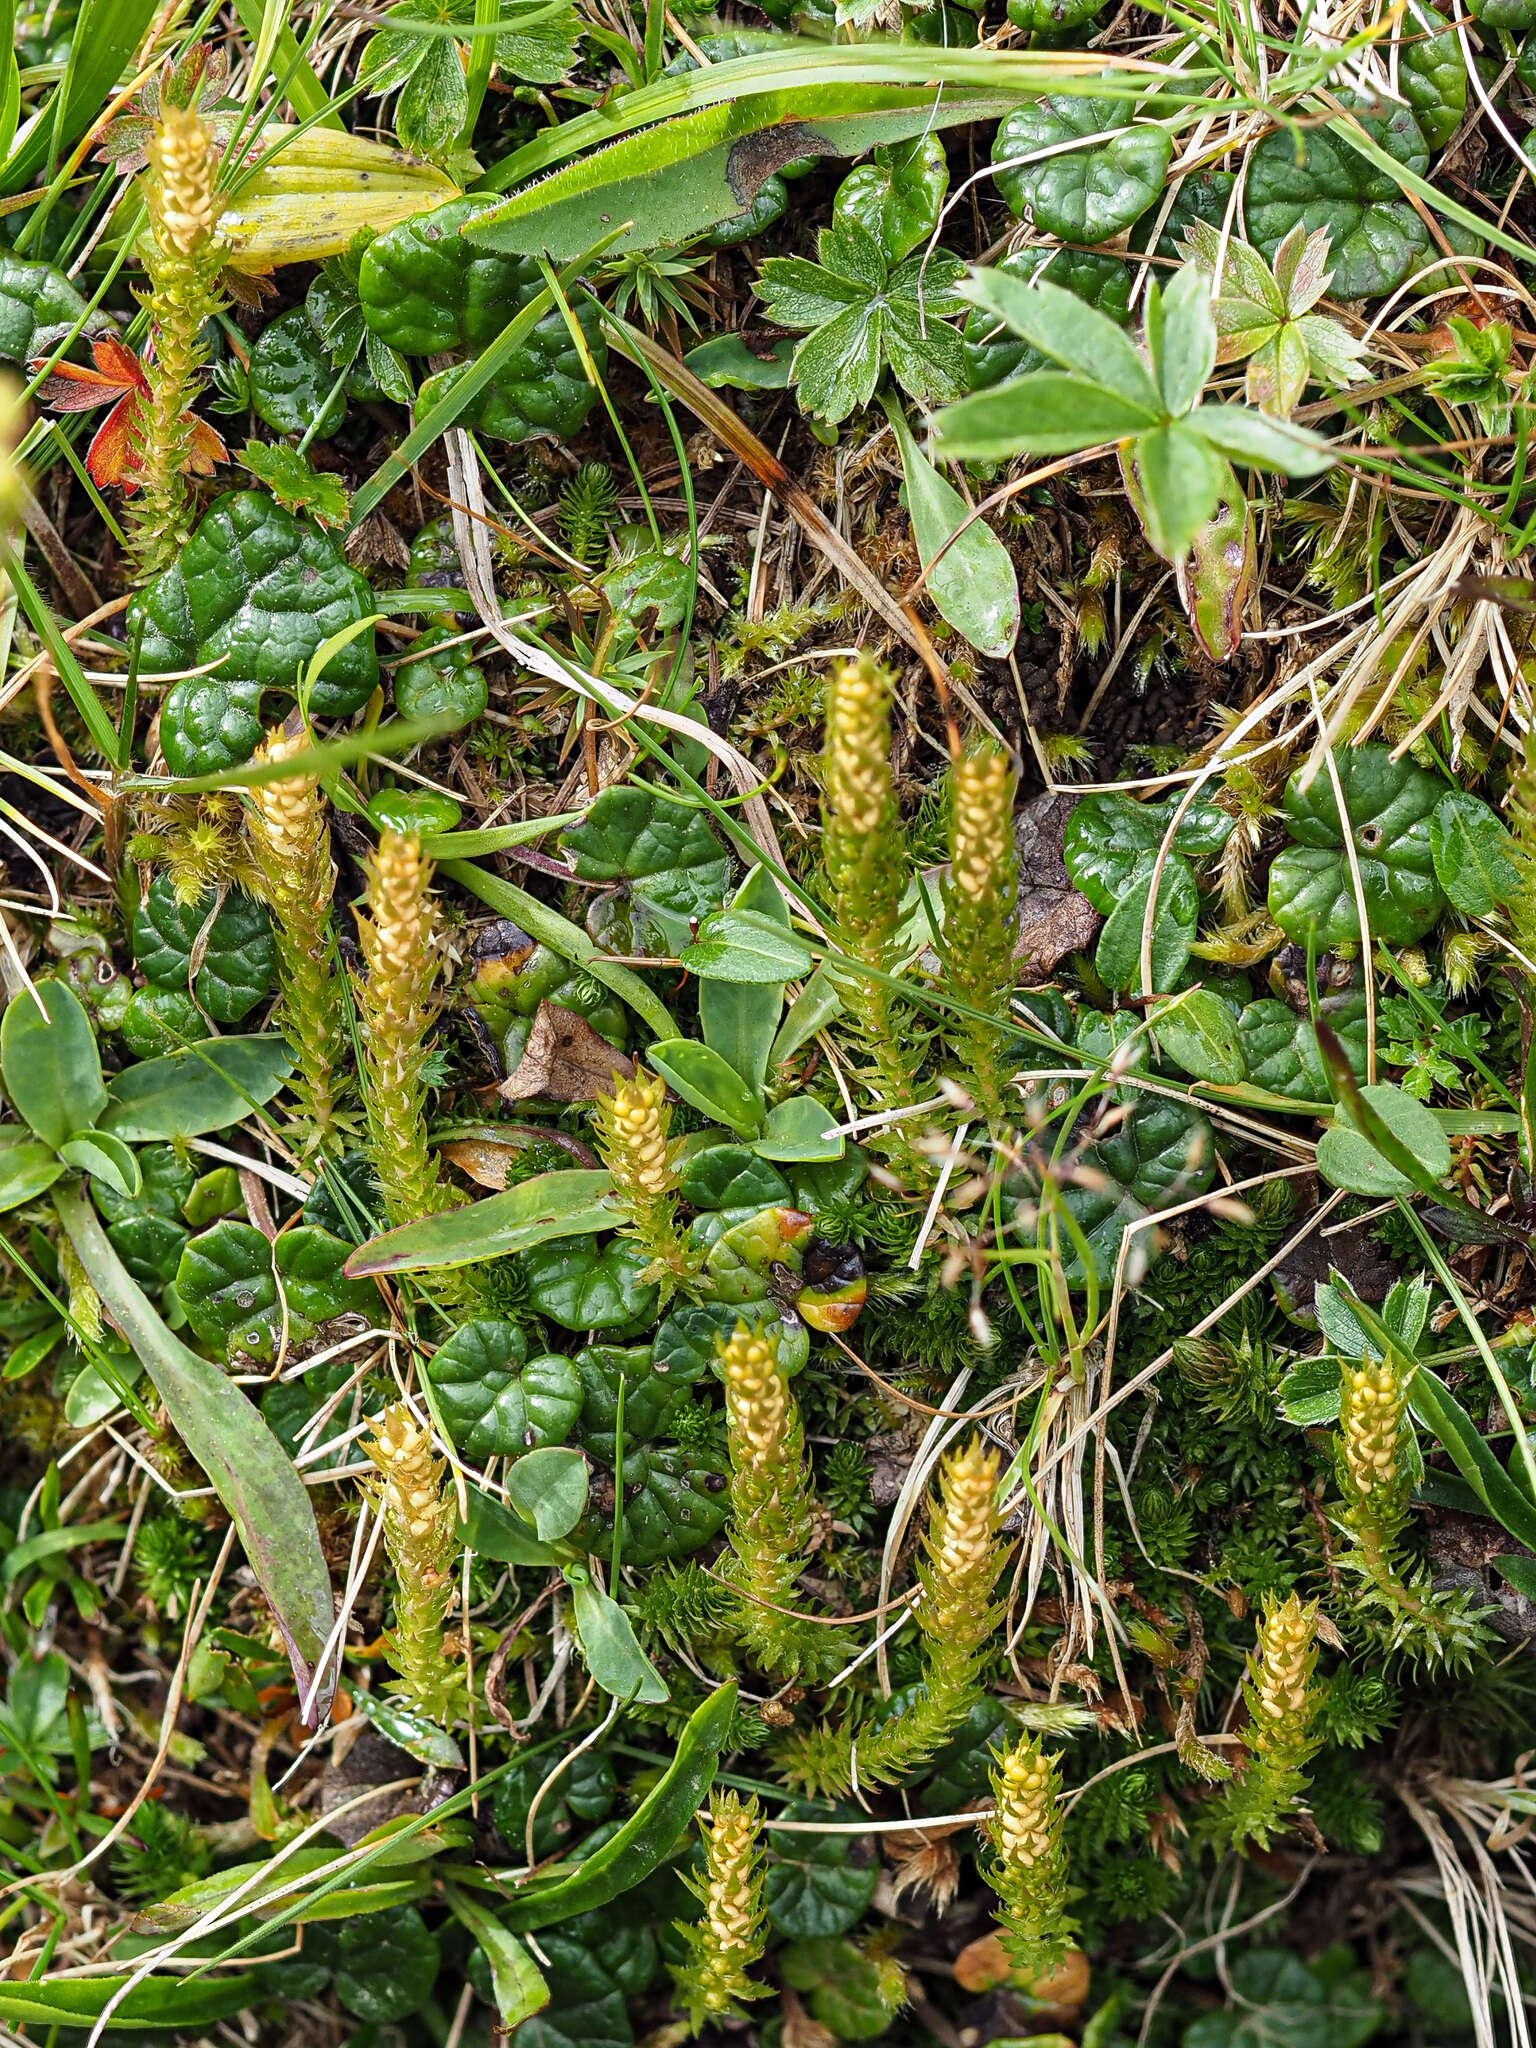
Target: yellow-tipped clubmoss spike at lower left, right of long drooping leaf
x=417 y=1508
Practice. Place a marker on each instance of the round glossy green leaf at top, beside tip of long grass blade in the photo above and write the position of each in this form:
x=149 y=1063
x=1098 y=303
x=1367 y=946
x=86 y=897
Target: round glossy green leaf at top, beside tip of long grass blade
x=1091 y=194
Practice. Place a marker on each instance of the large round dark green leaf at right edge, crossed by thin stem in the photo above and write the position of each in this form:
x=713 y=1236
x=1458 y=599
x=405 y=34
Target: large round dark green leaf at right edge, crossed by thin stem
x=1390 y=806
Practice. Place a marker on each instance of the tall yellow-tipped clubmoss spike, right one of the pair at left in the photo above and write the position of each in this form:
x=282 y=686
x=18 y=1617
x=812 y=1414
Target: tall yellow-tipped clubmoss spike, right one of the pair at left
x=396 y=1007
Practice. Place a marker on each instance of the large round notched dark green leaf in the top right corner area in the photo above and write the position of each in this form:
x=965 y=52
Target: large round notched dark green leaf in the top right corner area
x=1324 y=183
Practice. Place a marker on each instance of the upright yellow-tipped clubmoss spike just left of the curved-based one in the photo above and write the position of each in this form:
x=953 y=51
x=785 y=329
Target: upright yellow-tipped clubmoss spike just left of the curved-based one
x=771 y=1498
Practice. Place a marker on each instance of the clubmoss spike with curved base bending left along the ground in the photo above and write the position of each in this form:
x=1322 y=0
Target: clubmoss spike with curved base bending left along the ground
x=964 y=1560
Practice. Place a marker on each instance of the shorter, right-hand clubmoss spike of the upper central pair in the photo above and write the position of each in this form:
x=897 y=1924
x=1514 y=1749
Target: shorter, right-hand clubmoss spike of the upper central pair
x=982 y=912
